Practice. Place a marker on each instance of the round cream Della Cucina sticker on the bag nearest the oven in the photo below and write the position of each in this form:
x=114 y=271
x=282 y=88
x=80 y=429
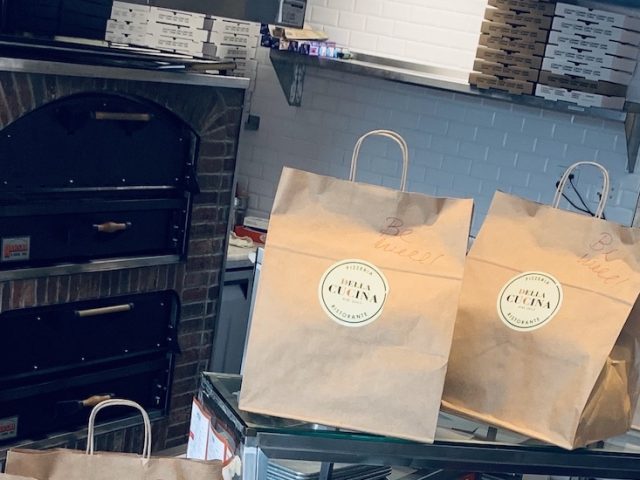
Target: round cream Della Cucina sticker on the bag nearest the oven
x=353 y=292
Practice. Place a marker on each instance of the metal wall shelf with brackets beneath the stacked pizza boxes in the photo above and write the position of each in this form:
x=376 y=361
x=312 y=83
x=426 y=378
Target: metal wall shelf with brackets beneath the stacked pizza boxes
x=291 y=70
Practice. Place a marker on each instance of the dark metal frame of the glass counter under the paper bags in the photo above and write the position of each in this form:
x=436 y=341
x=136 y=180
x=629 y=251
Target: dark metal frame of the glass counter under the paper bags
x=266 y=437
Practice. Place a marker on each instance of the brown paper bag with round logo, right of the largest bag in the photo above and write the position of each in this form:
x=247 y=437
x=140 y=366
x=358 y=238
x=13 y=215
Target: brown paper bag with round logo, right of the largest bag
x=545 y=342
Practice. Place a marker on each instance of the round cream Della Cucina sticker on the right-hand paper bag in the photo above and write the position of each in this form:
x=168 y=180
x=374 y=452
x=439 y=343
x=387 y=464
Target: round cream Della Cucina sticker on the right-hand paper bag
x=529 y=300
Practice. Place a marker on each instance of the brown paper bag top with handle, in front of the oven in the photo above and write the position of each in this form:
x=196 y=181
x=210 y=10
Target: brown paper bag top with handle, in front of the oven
x=63 y=464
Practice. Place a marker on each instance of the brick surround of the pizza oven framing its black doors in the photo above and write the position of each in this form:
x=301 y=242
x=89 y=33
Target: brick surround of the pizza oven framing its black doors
x=212 y=108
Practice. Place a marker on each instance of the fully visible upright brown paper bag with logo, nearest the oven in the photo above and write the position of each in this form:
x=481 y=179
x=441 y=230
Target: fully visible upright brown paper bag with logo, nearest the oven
x=355 y=307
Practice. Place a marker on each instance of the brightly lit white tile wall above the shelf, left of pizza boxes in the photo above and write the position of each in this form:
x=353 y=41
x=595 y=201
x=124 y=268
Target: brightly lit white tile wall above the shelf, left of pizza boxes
x=424 y=31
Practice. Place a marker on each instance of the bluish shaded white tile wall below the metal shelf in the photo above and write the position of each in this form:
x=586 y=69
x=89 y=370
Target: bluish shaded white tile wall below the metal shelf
x=460 y=145
